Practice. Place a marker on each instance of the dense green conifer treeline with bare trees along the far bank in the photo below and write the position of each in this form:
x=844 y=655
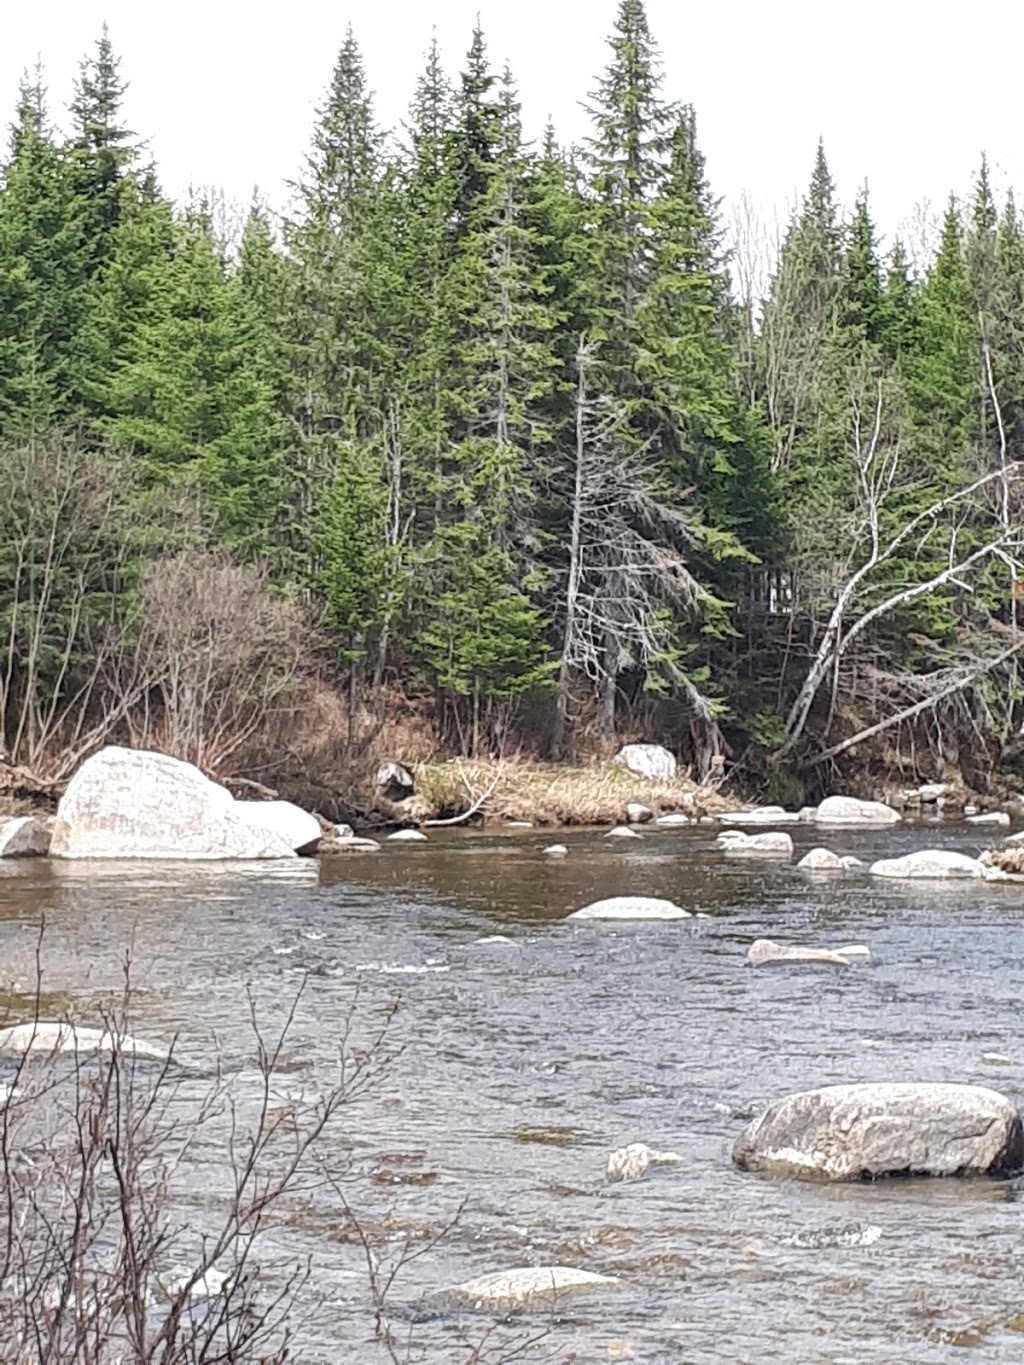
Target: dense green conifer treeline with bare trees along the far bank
x=498 y=422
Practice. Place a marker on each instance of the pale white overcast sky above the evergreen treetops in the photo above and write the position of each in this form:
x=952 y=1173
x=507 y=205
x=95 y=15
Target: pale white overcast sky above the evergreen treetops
x=906 y=94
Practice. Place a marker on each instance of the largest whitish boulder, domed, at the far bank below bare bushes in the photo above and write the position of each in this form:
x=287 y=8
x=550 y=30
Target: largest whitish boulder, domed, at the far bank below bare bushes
x=137 y=805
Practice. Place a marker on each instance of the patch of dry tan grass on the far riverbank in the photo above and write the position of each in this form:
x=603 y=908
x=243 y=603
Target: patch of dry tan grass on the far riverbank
x=550 y=794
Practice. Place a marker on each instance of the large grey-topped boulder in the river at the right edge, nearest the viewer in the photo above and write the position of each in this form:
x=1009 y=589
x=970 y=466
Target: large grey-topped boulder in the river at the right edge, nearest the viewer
x=858 y=1132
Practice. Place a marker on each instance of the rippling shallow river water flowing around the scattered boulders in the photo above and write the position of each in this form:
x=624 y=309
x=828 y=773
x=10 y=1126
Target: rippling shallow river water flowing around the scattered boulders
x=520 y=1064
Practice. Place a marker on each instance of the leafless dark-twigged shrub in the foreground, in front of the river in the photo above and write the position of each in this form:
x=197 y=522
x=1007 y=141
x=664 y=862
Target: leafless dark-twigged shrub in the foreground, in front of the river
x=104 y=1255
